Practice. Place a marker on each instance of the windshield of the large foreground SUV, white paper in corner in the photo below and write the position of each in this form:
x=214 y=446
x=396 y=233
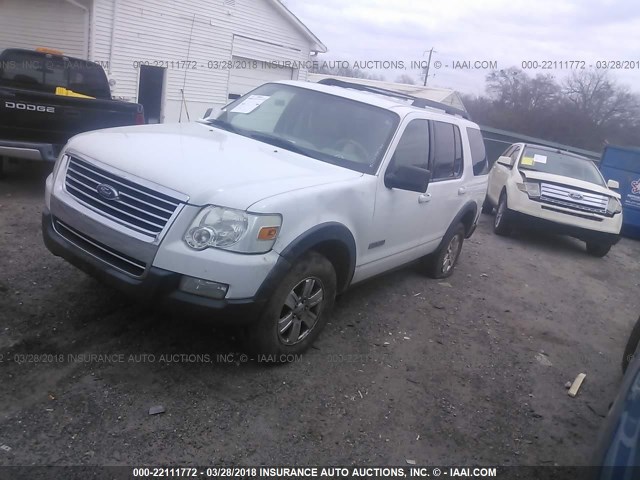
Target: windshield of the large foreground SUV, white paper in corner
x=322 y=126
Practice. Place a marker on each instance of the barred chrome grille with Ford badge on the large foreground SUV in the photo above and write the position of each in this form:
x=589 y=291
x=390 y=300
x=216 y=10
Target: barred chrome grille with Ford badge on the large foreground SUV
x=138 y=207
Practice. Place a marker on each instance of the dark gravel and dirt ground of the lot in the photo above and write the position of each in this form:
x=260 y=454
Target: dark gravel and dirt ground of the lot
x=470 y=370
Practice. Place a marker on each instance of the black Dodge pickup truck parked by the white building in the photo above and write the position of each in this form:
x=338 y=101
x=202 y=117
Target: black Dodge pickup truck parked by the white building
x=35 y=122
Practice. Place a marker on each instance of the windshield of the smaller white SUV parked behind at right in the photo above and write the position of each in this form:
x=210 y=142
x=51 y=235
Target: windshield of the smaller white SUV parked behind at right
x=557 y=163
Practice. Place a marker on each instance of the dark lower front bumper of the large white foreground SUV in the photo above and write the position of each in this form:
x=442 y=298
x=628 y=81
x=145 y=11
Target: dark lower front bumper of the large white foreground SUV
x=158 y=288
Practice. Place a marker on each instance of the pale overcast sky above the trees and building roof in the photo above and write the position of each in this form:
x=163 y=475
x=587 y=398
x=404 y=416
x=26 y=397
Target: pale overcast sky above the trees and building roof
x=506 y=31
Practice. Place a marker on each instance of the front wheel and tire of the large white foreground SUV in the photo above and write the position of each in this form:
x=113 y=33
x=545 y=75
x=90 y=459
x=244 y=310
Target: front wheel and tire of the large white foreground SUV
x=271 y=335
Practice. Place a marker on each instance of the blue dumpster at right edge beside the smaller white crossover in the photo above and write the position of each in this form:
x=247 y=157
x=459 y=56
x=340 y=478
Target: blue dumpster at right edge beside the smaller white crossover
x=623 y=164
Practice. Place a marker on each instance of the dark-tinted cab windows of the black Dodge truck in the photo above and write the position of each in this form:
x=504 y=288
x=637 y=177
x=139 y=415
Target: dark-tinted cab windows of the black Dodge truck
x=43 y=72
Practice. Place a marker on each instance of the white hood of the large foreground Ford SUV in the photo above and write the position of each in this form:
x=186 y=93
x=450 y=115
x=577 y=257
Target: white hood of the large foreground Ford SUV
x=210 y=165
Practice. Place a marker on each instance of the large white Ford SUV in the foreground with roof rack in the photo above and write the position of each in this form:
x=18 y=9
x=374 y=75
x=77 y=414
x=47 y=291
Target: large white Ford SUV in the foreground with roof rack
x=292 y=194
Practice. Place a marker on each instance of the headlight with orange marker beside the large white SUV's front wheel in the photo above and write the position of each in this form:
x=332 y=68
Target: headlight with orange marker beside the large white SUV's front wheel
x=235 y=230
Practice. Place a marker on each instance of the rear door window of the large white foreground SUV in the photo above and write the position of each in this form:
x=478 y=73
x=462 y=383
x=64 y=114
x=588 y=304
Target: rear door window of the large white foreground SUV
x=447 y=158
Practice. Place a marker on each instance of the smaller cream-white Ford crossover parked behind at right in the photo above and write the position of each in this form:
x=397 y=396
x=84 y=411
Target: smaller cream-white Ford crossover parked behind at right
x=556 y=191
